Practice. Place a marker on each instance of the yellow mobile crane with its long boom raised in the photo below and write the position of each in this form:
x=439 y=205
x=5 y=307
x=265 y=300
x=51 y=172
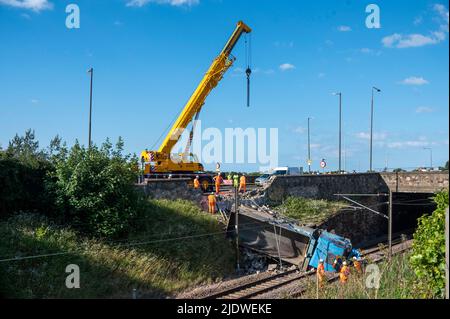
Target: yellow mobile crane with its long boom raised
x=161 y=163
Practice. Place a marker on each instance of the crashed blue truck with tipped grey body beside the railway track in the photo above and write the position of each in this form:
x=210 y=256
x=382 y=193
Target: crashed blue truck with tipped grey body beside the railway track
x=283 y=239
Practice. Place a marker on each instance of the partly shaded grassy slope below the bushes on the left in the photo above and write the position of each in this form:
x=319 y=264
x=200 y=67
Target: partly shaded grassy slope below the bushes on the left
x=146 y=260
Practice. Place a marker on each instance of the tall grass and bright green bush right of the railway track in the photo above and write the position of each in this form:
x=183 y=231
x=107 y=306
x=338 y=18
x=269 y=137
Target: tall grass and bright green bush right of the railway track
x=419 y=273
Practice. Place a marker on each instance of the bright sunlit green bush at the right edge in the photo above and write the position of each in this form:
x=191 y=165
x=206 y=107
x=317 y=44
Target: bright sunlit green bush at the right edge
x=428 y=257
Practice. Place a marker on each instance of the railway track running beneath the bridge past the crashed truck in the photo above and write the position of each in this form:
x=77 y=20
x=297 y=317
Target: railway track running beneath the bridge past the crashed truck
x=260 y=287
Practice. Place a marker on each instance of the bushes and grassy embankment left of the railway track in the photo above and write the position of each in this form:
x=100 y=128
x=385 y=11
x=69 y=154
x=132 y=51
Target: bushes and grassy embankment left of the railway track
x=80 y=206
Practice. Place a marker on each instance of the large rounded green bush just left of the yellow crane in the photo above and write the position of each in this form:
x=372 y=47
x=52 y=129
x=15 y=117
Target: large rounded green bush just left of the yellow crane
x=94 y=189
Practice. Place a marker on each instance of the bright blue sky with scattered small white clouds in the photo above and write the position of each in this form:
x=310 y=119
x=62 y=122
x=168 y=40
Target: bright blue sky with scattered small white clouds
x=149 y=56
